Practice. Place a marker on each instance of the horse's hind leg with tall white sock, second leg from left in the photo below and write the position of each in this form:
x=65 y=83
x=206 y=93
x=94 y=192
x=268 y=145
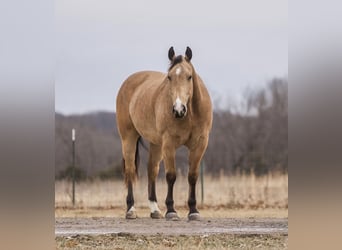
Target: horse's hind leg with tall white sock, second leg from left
x=153 y=170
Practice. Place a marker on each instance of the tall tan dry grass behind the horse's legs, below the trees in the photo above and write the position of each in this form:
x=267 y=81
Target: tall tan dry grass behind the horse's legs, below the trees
x=224 y=192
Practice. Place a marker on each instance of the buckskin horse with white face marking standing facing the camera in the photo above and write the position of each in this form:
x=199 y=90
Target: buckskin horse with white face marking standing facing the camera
x=168 y=110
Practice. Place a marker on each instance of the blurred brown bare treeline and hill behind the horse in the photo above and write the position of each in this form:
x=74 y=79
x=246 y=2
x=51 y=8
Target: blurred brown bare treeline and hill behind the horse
x=251 y=140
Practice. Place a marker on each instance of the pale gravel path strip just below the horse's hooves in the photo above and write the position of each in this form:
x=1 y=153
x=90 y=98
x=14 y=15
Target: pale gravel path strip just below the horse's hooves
x=147 y=226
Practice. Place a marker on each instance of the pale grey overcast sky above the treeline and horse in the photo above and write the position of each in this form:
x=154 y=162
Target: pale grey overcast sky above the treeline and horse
x=100 y=43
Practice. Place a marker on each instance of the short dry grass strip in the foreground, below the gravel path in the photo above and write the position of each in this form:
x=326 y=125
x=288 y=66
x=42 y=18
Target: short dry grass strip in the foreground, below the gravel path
x=214 y=241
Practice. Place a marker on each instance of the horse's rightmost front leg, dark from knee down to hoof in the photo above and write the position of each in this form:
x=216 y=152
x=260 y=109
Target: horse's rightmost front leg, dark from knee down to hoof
x=195 y=157
